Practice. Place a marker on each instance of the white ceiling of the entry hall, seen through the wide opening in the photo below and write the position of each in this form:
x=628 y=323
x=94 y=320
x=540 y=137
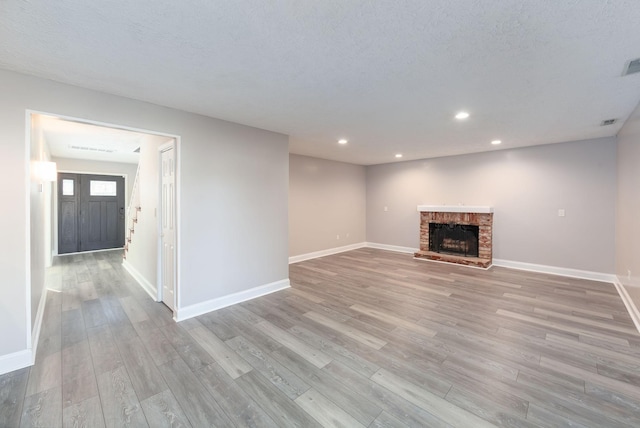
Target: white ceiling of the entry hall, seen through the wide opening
x=67 y=139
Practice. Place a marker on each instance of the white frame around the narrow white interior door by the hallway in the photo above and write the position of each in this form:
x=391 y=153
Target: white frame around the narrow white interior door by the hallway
x=172 y=144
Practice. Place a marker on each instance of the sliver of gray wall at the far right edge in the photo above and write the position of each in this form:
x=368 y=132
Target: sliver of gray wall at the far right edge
x=628 y=207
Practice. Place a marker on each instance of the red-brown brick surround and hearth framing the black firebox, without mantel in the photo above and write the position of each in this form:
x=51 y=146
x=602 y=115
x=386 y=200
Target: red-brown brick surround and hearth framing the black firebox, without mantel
x=484 y=221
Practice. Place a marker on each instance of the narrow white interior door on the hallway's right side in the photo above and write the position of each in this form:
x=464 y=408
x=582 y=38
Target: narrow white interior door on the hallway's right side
x=168 y=235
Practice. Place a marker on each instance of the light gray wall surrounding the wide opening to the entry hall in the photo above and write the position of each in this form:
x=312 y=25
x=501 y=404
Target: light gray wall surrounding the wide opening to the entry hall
x=233 y=194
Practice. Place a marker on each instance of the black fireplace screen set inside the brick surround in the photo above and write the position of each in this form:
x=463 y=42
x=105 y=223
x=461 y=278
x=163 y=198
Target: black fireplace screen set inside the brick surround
x=457 y=239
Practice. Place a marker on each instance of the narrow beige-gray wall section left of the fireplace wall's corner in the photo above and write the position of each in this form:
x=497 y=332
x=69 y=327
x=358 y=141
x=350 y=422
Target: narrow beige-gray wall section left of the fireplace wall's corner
x=326 y=199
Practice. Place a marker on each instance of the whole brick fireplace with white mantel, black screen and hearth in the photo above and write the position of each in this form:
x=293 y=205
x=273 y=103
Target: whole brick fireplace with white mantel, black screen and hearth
x=462 y=232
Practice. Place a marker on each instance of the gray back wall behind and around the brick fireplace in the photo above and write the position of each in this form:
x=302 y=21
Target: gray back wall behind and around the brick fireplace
x=525 y=186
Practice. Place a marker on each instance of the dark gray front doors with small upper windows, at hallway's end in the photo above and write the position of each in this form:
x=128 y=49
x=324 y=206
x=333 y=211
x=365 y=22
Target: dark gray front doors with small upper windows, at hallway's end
x=98 y=220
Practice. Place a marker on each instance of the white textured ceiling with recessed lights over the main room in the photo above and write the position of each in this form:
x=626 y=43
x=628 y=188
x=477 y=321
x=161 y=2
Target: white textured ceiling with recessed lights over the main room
x=387 y=75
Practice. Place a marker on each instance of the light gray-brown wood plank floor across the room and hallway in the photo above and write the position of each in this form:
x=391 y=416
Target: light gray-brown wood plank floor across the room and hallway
x=364 y=338
